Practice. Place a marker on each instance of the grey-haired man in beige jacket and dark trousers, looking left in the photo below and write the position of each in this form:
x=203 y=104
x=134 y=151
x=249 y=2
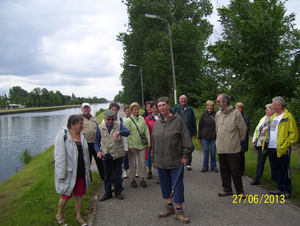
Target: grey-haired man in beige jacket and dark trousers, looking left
x=231 y=131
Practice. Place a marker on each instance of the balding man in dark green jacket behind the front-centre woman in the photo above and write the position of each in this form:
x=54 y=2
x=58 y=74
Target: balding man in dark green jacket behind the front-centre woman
x=187 y=114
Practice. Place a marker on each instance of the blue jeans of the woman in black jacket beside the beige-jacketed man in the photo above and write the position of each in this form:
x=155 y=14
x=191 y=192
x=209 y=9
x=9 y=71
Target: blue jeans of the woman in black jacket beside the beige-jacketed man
x=206 y=150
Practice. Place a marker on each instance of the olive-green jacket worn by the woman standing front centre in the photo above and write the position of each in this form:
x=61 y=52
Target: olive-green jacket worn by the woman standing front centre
x=171 y=142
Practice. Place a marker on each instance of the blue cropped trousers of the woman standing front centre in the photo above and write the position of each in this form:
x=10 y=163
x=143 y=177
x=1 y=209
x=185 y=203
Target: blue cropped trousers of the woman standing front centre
x=167 y=178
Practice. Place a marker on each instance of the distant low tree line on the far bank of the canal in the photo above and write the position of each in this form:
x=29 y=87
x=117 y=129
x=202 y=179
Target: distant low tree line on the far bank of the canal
x=43 y=98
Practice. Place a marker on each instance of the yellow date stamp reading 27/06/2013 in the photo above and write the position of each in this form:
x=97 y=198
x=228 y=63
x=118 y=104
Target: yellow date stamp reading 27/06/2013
x=259 y=199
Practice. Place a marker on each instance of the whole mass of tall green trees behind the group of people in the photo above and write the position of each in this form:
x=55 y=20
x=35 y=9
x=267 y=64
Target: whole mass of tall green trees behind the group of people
x=256 y=58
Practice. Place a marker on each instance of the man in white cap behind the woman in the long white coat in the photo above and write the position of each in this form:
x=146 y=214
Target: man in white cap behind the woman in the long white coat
x=90 y=125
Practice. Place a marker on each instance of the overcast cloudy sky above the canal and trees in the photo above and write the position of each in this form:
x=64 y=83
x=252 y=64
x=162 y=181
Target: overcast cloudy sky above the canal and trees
x=69 y=45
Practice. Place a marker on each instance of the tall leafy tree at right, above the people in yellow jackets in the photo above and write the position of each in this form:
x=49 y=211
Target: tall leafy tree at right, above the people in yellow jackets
x=257 y=48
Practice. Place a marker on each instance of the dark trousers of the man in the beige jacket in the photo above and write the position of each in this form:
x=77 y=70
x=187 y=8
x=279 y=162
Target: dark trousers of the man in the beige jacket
x=230 y=167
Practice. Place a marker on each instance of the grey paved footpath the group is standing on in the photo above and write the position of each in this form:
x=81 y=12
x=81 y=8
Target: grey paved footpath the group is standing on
x=202 y=205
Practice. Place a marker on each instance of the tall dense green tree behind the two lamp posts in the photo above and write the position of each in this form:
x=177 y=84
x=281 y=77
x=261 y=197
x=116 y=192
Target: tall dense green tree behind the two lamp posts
x=146 y=43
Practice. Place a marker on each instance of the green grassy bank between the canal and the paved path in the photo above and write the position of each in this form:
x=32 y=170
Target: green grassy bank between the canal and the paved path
x=29 y=196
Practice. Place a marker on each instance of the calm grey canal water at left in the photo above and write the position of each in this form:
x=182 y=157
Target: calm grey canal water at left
x=35 y=131
